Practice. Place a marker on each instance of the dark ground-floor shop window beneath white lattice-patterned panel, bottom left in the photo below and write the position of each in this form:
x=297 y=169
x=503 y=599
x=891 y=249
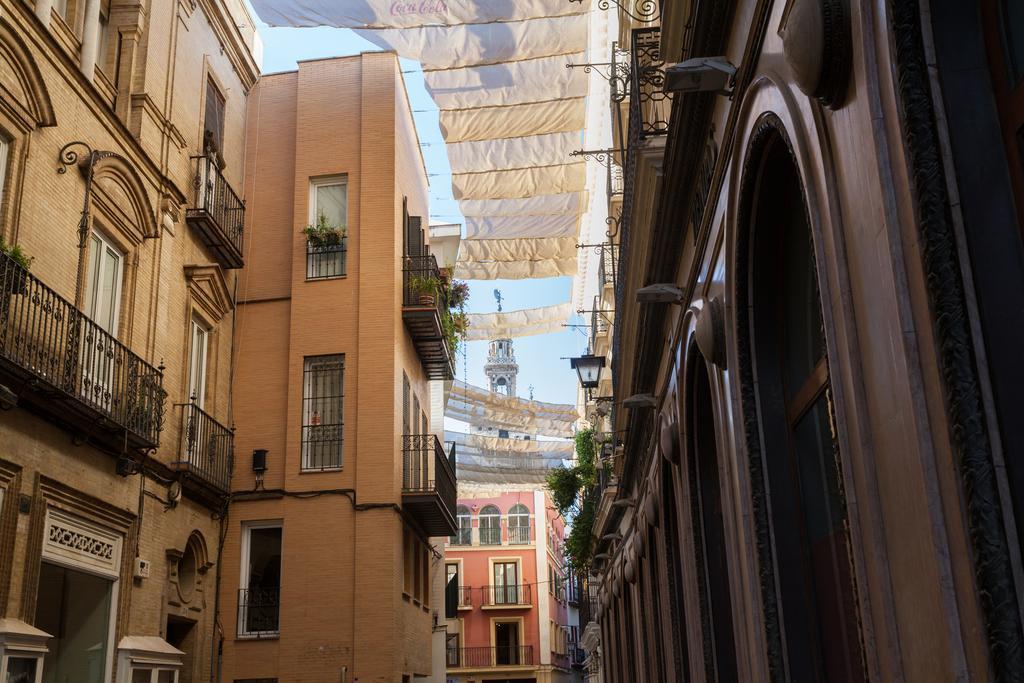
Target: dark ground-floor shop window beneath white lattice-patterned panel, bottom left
x=76 y=609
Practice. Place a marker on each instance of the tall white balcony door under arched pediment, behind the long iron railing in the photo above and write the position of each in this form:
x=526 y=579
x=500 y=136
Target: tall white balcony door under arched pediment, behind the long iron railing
x=103 y=308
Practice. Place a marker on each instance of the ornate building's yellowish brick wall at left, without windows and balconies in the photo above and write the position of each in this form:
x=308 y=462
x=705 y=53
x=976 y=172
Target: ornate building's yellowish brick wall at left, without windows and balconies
x=154 y=125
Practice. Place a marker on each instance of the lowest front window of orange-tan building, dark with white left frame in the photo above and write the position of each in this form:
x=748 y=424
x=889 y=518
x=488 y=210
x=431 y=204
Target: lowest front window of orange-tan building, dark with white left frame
x=260 y=595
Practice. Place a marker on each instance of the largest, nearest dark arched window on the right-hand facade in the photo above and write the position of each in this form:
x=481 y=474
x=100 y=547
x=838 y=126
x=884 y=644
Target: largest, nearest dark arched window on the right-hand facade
x=808 y=517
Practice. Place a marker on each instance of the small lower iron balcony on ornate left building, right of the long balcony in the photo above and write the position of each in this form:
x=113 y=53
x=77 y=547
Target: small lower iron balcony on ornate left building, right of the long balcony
x=207 y=451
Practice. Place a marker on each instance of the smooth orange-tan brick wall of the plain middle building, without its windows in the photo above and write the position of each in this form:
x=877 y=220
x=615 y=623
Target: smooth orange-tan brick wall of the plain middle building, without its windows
x=343 y=604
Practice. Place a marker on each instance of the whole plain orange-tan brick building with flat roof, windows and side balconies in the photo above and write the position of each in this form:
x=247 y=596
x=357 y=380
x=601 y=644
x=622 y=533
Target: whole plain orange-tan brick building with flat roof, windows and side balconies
x=342 y=482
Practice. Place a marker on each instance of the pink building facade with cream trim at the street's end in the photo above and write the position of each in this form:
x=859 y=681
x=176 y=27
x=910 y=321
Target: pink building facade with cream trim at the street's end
x=507 y=596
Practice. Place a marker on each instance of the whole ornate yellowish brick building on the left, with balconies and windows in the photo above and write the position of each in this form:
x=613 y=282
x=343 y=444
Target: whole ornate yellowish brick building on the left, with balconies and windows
x=121 y=159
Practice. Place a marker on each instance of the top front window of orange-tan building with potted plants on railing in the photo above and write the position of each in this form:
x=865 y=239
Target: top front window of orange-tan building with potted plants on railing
x=327 y=252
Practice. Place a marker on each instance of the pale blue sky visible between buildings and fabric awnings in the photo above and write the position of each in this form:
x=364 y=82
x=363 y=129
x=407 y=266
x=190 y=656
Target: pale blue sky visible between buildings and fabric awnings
x=542 y=363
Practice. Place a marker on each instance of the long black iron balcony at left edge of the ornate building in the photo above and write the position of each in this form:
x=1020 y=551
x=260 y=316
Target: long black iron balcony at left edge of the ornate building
x=67 y=368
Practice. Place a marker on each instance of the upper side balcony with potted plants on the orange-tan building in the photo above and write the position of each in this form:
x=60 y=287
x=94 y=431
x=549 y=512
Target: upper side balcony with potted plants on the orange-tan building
x=425 y=316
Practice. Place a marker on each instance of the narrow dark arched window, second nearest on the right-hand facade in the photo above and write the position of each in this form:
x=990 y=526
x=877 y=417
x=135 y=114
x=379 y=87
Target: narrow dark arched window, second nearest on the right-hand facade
x=709 y=530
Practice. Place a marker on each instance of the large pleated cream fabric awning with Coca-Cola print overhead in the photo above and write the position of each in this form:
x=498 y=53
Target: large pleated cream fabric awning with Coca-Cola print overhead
x=509 y=110
